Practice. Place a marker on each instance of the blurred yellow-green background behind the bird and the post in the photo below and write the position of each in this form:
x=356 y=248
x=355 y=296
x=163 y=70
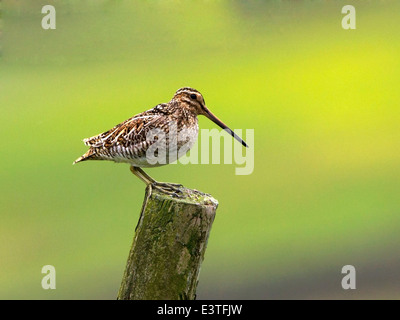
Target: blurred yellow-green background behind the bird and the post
x=324 y=104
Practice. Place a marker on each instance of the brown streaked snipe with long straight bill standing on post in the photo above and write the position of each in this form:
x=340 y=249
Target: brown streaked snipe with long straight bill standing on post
x=132 y=140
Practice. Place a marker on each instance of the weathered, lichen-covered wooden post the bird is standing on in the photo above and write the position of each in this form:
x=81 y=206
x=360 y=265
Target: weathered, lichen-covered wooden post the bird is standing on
x=168 y=247
